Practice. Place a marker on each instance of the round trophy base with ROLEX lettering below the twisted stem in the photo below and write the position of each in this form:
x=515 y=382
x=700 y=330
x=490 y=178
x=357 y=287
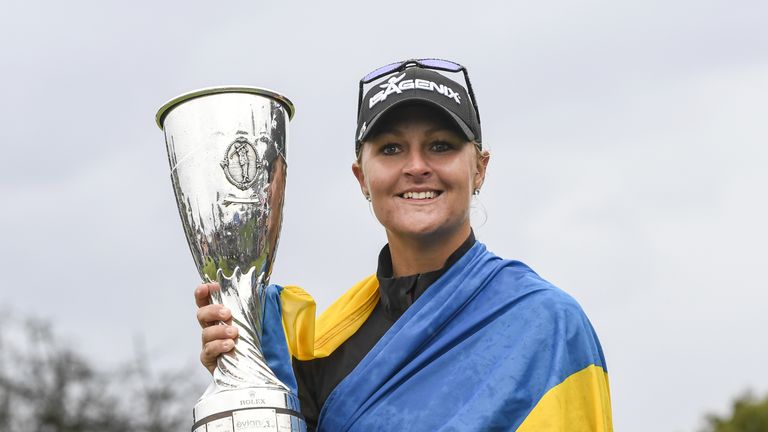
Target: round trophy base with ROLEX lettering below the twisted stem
x=256 y=409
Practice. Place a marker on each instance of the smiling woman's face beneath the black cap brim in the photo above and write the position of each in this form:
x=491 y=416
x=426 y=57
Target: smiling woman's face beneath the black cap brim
x=420 y=173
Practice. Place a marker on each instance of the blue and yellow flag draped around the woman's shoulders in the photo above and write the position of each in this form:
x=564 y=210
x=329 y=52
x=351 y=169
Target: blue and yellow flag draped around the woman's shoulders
x=490 y=346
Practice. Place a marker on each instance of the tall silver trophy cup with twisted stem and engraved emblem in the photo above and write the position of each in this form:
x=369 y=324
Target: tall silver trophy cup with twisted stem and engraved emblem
x=226 y=147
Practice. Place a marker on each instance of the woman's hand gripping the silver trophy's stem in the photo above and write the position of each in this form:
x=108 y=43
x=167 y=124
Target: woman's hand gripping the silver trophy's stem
x=216 y=321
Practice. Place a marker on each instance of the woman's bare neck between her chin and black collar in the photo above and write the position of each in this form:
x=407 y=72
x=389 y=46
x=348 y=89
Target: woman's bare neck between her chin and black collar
x=413 y=255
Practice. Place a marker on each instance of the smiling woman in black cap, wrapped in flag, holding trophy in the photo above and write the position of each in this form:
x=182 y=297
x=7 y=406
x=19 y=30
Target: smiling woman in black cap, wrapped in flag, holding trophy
x=445 y=335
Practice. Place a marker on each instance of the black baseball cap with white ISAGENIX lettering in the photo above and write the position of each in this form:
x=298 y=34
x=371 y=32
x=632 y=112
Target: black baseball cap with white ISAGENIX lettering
x=416 y=84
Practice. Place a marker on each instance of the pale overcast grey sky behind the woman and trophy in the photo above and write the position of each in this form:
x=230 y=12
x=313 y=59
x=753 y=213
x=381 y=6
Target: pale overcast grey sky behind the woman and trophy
x=628 y=167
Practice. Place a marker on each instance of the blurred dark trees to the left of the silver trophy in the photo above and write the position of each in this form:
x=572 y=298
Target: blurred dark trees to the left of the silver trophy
x=47 y=386
